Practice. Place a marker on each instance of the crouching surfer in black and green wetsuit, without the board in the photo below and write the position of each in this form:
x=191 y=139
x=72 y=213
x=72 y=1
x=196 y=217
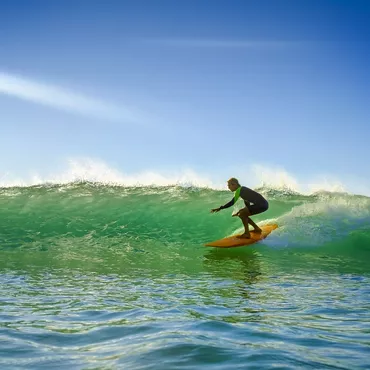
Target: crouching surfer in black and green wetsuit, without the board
x=254 y=203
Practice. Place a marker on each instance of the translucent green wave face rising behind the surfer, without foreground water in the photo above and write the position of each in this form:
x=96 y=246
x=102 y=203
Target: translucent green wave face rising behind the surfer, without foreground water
x=106 y=215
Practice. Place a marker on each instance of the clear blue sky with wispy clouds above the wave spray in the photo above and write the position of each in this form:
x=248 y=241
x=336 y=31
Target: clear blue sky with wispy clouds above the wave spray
x=213 y=86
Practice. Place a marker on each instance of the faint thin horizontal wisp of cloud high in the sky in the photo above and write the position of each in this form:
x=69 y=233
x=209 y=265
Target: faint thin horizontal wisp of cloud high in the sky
x=219 y=43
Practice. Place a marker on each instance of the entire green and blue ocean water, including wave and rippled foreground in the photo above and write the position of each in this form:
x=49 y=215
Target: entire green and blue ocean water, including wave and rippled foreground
x=99 y=276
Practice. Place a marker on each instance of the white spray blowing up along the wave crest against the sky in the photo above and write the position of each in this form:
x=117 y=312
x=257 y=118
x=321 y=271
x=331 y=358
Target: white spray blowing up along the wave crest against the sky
x=96 y=170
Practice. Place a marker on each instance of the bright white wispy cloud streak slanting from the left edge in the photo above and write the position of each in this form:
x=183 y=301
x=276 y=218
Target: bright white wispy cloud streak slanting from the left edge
x=64 y=99
